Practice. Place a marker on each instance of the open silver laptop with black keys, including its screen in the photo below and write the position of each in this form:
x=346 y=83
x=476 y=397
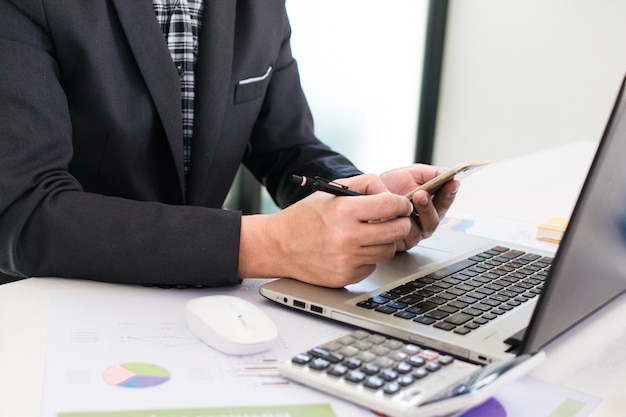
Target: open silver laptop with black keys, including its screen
x=490 y=324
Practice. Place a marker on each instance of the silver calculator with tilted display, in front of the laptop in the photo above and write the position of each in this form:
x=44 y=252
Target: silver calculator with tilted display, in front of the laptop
x=396 y=377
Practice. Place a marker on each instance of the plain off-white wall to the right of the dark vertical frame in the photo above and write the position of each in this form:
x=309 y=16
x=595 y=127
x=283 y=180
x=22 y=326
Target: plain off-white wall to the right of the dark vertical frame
x=524 y=75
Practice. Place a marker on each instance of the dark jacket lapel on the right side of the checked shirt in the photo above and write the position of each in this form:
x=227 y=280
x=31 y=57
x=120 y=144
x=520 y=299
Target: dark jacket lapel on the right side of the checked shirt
x=213 y=78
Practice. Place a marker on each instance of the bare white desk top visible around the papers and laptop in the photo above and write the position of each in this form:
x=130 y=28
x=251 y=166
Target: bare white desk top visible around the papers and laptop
x=590 y=358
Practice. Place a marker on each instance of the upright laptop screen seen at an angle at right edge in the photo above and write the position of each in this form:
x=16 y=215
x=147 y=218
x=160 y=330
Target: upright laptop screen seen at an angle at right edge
x=589 y=269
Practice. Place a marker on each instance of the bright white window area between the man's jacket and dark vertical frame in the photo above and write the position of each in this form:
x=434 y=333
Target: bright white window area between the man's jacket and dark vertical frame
x=360 y=63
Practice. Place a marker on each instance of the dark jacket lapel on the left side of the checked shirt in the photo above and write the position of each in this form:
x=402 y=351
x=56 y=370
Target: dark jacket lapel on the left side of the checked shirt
x=155 y=63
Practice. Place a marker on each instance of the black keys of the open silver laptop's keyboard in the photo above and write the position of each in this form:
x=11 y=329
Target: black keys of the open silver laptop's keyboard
x=467 y=294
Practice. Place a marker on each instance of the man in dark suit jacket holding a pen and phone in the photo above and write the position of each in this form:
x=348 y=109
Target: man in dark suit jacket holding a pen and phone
x=118 y=147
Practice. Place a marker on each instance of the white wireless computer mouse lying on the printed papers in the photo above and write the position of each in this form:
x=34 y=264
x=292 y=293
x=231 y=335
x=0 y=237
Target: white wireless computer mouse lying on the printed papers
x=230 y=324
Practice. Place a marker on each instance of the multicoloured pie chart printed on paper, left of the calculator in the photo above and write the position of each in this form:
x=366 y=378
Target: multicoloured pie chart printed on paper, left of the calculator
x=136 y=375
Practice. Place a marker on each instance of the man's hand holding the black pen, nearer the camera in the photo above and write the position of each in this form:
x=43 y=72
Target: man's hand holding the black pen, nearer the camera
x=327 y=240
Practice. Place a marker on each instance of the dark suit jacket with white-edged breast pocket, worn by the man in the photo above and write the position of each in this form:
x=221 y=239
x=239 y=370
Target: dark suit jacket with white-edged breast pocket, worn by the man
x=91 y=171
